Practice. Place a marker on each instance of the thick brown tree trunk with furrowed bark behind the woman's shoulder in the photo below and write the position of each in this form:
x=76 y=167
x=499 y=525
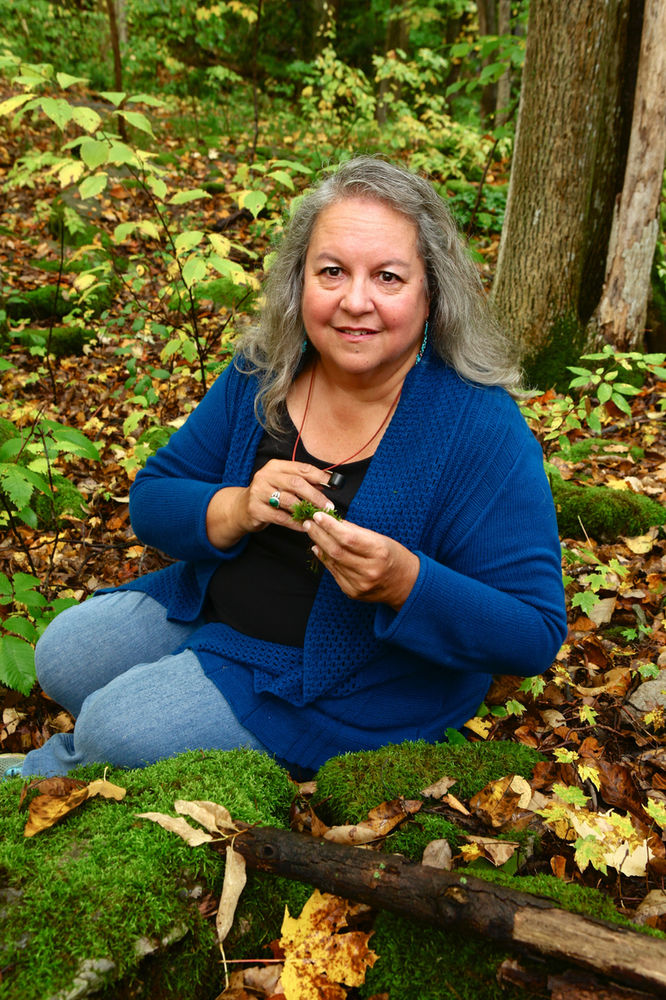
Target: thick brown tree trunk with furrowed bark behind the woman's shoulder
x=569 y=161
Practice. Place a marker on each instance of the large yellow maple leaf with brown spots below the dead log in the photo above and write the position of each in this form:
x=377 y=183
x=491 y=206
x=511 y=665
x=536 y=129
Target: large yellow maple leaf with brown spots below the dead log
x=318 y=958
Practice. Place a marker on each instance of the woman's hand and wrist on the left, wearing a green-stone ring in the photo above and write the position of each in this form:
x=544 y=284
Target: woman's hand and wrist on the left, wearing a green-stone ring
x=236 y=510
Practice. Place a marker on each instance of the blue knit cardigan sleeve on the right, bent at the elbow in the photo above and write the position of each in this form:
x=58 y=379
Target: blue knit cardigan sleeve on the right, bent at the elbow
x=489 y=595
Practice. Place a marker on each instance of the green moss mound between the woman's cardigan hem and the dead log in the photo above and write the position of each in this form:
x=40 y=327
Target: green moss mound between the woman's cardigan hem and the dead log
x=350 y=785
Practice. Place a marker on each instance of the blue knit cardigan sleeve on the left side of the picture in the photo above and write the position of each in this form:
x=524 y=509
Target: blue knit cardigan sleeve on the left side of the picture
x=170 y=496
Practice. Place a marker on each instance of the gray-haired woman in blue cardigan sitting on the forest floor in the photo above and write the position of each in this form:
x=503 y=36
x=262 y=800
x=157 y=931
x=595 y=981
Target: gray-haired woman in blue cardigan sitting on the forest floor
x=375 y=382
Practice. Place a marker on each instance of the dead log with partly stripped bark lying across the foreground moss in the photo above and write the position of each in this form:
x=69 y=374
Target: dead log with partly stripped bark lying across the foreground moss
x=517 y=919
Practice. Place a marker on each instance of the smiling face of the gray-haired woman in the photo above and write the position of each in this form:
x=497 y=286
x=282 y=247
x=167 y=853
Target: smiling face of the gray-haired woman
x=365 y=299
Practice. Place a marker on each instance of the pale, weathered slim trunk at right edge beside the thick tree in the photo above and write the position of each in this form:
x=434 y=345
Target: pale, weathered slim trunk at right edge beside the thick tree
x=620 y=317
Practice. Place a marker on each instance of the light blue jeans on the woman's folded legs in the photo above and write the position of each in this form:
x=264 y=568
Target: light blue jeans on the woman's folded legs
x=110 y=662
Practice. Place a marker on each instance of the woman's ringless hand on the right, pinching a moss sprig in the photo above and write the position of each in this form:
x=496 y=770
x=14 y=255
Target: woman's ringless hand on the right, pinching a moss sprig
x=366 y=565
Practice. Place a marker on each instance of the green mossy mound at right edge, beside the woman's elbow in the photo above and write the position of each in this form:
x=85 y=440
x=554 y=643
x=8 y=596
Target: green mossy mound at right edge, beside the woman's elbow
x=602 y=513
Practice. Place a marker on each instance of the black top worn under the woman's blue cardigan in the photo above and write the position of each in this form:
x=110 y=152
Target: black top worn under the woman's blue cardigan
x=267 y=592
